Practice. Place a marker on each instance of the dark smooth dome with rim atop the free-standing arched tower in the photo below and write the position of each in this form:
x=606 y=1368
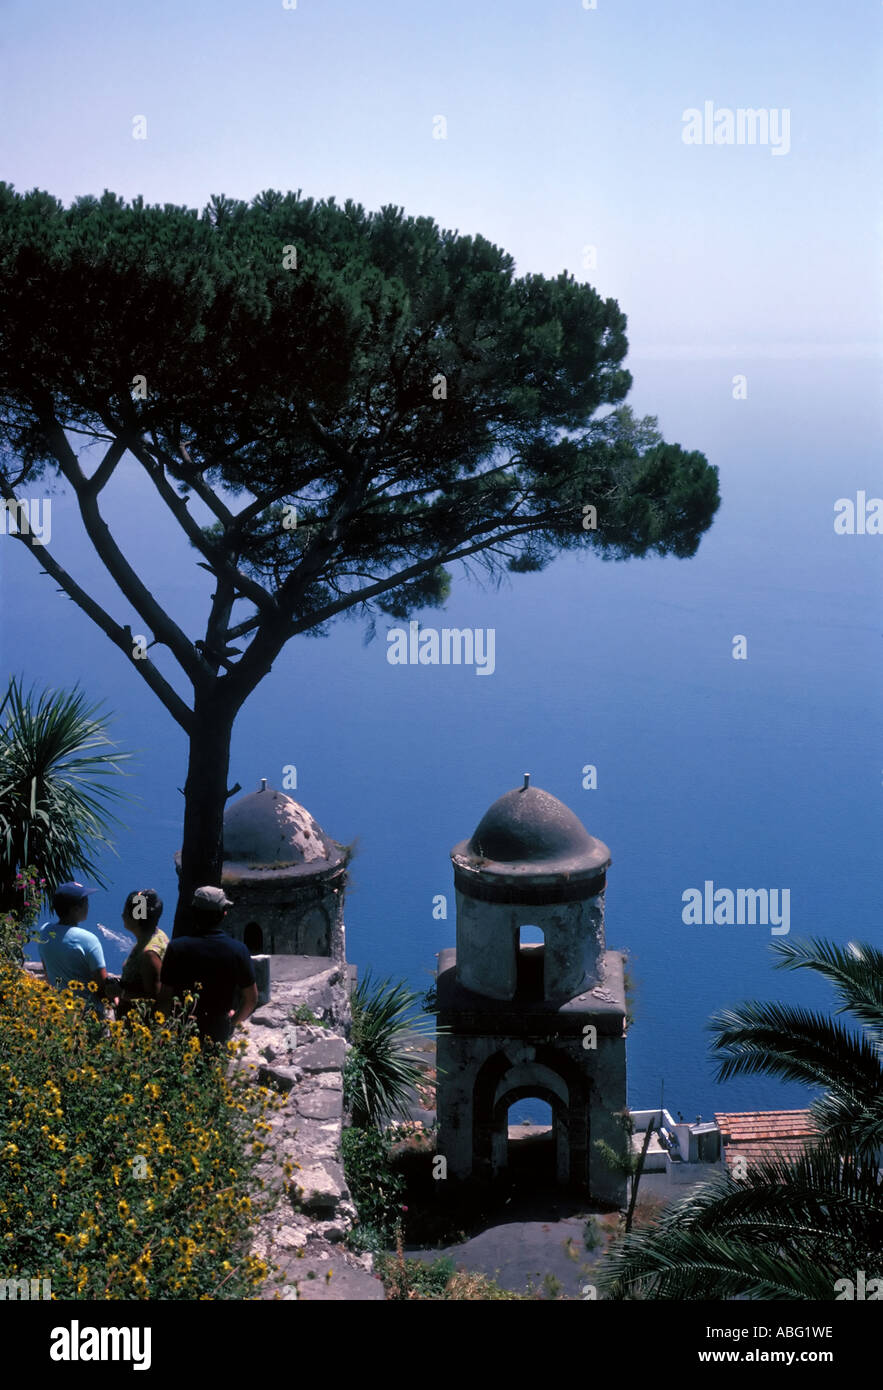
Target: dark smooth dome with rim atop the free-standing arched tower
x=529 y=835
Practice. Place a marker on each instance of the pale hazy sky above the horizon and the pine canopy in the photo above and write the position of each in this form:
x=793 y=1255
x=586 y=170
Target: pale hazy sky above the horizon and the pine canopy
x=564 y=131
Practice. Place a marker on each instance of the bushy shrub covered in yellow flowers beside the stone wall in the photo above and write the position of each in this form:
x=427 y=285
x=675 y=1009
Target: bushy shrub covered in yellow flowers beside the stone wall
x=127 y=1154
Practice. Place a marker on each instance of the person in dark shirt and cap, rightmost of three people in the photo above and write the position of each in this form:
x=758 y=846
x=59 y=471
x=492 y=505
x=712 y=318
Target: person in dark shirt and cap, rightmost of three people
x=211 y=960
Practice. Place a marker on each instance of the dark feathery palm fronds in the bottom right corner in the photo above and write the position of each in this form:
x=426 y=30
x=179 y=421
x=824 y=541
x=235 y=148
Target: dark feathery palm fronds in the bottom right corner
x=789 y=1229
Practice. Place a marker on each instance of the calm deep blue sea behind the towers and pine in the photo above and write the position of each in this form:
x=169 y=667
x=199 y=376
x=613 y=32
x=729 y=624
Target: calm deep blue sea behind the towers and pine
x=765 y=772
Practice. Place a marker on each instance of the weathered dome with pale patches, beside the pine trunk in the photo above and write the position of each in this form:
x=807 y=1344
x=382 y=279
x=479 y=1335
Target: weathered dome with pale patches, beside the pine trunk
x=269 y=831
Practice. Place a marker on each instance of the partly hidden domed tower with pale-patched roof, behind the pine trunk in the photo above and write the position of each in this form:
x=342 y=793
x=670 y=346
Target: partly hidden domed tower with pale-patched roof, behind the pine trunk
x=286 y=876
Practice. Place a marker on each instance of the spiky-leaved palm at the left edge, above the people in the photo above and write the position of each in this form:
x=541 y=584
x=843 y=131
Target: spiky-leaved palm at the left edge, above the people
x=55 y=755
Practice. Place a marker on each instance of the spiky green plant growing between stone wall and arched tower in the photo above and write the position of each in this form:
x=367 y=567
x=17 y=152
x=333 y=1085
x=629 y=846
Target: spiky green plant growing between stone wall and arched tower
x=380 y=1071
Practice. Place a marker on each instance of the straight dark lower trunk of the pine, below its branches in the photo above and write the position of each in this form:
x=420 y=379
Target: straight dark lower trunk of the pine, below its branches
x=205 y=801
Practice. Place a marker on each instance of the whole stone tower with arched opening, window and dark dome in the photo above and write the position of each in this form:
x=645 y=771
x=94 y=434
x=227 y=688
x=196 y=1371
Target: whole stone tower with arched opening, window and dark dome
x=525 y=1020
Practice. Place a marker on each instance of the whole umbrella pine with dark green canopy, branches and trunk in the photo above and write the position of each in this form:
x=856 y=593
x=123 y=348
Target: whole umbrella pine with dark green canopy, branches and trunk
x=394 y=387
